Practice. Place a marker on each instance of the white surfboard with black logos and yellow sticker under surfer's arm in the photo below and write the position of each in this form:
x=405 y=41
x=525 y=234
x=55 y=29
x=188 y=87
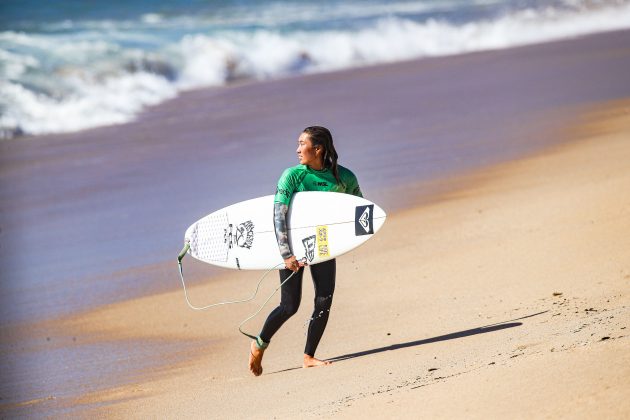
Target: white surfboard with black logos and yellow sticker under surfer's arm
x=322 y=226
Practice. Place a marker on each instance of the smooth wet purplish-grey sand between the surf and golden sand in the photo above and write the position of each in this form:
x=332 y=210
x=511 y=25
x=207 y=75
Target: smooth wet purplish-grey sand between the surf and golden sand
x=99 y=209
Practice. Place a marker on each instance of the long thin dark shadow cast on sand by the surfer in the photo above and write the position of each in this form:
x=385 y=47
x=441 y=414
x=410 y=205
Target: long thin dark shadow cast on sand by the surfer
x=452 y=336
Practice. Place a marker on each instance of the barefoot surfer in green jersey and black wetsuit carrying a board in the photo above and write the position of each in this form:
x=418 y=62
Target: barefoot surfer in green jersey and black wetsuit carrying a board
x=318 y=171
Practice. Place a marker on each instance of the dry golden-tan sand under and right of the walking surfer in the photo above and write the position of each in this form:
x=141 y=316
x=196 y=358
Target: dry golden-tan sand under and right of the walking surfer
x=507 y=298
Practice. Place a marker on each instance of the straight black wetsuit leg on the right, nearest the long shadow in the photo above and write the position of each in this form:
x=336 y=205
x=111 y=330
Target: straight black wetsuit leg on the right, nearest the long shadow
x=324 y=281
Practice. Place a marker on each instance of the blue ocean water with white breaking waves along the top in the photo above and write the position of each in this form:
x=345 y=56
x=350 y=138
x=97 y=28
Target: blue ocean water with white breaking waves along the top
x=68 y=65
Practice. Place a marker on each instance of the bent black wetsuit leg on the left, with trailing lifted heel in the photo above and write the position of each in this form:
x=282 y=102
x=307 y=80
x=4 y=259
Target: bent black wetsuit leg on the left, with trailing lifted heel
x=290 y=297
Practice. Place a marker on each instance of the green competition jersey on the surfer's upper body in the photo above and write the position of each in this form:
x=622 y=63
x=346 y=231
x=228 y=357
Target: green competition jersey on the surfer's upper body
x=303 y=178
